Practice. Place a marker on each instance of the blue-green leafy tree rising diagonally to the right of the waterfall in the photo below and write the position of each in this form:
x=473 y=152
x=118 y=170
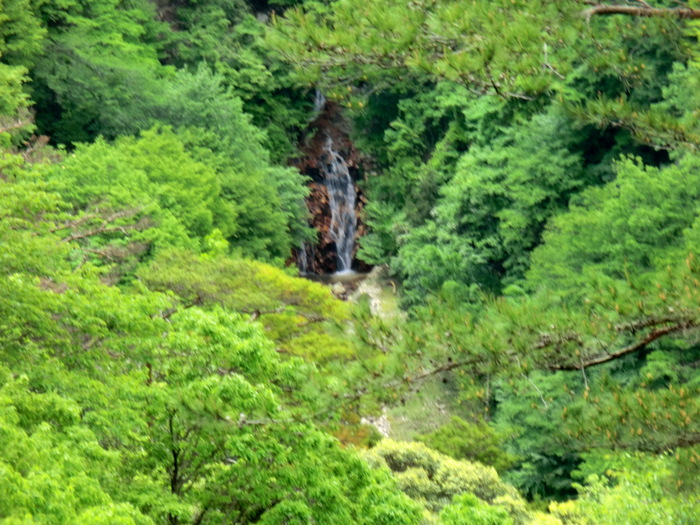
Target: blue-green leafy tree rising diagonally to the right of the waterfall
x=492 y=211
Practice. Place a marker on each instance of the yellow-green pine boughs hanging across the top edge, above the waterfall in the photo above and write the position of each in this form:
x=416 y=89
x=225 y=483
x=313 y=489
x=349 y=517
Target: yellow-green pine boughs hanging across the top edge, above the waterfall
x=493 y=47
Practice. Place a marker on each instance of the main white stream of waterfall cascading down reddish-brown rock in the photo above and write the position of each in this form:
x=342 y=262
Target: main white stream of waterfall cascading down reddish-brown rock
x=341 y=197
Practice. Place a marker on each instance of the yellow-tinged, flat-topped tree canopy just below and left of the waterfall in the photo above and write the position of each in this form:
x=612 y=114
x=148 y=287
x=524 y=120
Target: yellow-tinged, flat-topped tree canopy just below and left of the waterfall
x=299 y=315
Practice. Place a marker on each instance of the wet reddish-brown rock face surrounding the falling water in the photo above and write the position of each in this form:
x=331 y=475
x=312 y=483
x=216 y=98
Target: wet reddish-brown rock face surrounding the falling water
x=328 y=127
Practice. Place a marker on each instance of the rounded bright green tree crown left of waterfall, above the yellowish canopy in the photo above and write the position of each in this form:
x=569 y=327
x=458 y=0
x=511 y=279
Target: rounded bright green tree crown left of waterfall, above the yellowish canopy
x=134 y=194
